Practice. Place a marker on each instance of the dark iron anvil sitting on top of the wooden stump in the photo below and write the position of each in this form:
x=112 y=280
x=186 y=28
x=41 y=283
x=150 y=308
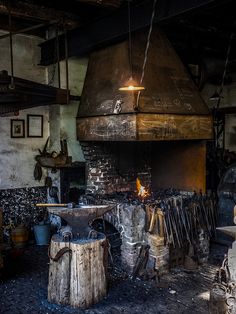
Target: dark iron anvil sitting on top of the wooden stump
x=78 y=218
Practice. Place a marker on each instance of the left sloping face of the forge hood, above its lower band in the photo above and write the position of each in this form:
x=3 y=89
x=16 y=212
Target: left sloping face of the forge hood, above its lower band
x=107 y=69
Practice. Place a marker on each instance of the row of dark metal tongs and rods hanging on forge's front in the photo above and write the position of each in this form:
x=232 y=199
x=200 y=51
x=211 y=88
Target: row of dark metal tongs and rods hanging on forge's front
x=184 y=216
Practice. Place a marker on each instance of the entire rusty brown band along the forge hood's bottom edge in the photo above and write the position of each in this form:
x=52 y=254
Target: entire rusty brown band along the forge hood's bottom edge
x=144 y=127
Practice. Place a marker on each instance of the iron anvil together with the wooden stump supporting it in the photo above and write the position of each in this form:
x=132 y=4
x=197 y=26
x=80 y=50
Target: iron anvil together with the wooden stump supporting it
x=77 y=271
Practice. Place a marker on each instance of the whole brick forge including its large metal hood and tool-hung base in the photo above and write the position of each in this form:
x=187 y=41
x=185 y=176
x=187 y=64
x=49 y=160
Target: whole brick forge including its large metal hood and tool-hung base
x=158 y=136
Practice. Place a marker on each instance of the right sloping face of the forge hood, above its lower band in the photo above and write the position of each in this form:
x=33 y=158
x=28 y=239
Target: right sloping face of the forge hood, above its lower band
x=169 y=87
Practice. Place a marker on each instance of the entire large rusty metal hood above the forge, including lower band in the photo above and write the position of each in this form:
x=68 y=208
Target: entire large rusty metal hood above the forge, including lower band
x=170 y=108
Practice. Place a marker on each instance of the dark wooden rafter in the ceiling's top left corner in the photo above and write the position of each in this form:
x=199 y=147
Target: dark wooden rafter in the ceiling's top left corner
x=38 y=13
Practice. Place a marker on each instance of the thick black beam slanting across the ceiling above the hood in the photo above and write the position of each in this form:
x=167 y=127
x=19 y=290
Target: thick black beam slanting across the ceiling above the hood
x=112 y=28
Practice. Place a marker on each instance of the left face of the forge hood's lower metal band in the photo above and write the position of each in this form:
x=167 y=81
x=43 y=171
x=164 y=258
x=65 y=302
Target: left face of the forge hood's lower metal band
x=107 y=128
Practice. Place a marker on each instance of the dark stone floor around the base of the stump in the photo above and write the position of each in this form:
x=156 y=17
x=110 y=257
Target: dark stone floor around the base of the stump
x=23 y=288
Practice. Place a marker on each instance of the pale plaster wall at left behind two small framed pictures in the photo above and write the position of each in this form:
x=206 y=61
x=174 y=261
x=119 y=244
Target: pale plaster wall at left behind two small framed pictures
x=17 y=154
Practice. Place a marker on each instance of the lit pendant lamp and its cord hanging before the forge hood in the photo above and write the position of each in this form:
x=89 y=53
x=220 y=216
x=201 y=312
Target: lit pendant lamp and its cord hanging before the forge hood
x=131 y=84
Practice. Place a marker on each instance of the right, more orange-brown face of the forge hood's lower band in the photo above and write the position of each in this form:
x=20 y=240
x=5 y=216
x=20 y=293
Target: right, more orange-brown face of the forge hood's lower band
x=158 y=127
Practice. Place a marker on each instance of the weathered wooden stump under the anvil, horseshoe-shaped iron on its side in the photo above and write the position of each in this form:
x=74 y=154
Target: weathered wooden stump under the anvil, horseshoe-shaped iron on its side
x=77 y=271
